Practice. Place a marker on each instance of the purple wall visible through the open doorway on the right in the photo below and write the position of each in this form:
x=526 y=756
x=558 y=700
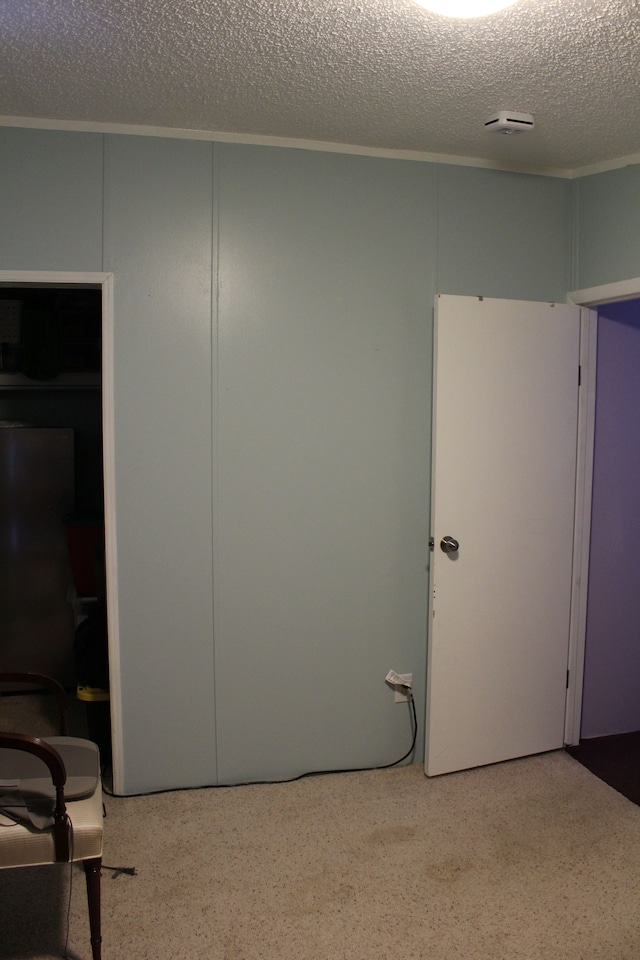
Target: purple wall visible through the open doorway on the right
x=611 y=699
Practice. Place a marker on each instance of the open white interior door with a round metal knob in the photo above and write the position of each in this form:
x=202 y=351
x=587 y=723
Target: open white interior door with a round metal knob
x=503 y=475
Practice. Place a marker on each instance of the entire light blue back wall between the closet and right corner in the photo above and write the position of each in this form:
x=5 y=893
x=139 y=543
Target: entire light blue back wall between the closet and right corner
x=273 y=321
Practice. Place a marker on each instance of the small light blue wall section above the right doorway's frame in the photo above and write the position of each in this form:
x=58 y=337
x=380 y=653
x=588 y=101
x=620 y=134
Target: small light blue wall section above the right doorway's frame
x=607 y=227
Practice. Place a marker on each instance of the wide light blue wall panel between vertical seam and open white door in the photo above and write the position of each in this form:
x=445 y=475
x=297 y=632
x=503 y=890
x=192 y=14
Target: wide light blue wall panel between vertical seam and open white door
x=326 y=281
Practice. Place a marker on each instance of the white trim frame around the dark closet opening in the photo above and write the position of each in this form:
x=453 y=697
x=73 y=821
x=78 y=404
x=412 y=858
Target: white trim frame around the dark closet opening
x=105 y=281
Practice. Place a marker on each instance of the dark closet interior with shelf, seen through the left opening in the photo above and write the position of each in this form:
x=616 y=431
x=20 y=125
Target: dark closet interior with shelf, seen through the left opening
x=50 y=398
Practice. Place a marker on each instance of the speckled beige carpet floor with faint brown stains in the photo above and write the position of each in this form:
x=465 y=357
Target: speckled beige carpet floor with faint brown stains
x=534 y=859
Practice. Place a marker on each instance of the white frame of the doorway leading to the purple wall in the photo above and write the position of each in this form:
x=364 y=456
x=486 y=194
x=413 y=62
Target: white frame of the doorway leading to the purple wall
x=587 y=299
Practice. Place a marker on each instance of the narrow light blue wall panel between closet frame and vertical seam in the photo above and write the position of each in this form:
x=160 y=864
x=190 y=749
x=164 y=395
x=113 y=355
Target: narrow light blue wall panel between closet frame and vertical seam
x=158 y=244
